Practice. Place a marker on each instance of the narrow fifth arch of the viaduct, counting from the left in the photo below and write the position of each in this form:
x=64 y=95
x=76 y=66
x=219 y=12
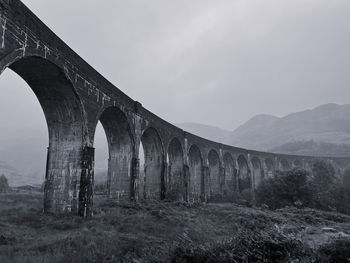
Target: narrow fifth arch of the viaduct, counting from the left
x=195 y=181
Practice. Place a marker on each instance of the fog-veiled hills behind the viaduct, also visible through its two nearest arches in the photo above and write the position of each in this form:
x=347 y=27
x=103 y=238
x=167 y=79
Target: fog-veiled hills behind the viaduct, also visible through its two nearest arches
x=324 y=130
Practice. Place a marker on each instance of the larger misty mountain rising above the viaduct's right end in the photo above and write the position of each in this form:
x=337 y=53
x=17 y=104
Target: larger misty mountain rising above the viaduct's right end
x=329 y=123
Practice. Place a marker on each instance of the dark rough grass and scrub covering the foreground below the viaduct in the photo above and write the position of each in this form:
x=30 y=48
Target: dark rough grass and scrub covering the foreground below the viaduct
x=169 y=232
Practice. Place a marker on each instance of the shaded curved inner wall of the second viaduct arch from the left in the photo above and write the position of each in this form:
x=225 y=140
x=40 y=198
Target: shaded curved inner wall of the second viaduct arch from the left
x=121 y=152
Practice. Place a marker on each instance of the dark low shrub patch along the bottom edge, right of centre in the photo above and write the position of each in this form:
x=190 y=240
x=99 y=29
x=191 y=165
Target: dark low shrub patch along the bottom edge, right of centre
x=246 y=246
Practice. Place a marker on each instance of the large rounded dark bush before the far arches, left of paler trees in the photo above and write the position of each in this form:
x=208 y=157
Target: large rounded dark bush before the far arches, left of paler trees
x=285 y=189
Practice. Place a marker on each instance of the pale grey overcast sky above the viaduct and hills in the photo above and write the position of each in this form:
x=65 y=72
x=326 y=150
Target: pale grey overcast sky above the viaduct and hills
x=212 y=62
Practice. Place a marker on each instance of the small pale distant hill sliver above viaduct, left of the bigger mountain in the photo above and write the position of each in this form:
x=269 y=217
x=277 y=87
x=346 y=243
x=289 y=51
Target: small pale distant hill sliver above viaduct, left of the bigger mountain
x=205 y=131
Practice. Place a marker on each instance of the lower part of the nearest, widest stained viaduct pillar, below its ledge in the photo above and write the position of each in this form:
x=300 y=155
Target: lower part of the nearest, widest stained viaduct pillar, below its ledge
x=69 y=180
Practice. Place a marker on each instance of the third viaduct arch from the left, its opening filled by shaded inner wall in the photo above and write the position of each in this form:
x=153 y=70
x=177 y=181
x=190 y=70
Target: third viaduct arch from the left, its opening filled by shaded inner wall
x=151 y=179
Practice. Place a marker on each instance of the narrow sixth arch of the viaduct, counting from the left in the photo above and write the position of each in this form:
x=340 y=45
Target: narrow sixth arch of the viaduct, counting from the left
x=214 y=173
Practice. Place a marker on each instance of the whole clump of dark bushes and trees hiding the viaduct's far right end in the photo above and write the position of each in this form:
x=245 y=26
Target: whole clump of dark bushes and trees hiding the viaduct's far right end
x=321 y=190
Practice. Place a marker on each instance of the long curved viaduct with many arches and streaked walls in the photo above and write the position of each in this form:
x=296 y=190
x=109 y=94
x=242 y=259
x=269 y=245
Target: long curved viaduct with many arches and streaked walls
x=74 y=97
